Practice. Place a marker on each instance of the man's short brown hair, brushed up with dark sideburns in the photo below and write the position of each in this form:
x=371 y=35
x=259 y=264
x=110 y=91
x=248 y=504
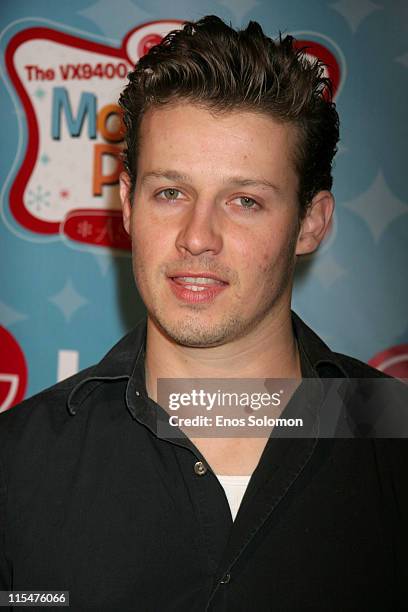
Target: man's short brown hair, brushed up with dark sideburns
x=209 y=63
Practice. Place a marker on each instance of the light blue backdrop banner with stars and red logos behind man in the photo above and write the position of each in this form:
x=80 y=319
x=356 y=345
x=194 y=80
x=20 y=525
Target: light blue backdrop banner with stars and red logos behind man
x=67 y=292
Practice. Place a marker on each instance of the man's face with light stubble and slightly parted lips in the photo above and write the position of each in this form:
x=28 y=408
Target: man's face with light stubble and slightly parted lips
x=215 y=195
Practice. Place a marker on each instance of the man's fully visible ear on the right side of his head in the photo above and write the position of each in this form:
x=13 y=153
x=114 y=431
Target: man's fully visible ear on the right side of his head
x=315 y=223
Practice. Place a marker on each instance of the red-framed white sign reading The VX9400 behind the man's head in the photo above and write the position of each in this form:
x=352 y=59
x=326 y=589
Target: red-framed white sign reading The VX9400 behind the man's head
x=67 y=183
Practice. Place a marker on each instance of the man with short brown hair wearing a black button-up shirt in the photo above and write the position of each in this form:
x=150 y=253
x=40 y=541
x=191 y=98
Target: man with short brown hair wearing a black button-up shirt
x=230 y=140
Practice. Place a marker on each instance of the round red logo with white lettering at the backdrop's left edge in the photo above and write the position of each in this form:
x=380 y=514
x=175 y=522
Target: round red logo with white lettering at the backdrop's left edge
x=13 y=371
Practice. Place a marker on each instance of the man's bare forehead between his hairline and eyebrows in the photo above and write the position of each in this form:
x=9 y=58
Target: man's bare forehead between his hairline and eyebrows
x=187 y=144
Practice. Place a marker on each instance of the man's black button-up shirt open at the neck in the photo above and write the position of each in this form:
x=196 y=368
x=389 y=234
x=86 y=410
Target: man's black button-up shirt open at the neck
x=93 y=501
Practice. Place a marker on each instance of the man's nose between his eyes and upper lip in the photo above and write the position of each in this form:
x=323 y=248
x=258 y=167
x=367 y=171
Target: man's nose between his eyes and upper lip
x=200 y=230
